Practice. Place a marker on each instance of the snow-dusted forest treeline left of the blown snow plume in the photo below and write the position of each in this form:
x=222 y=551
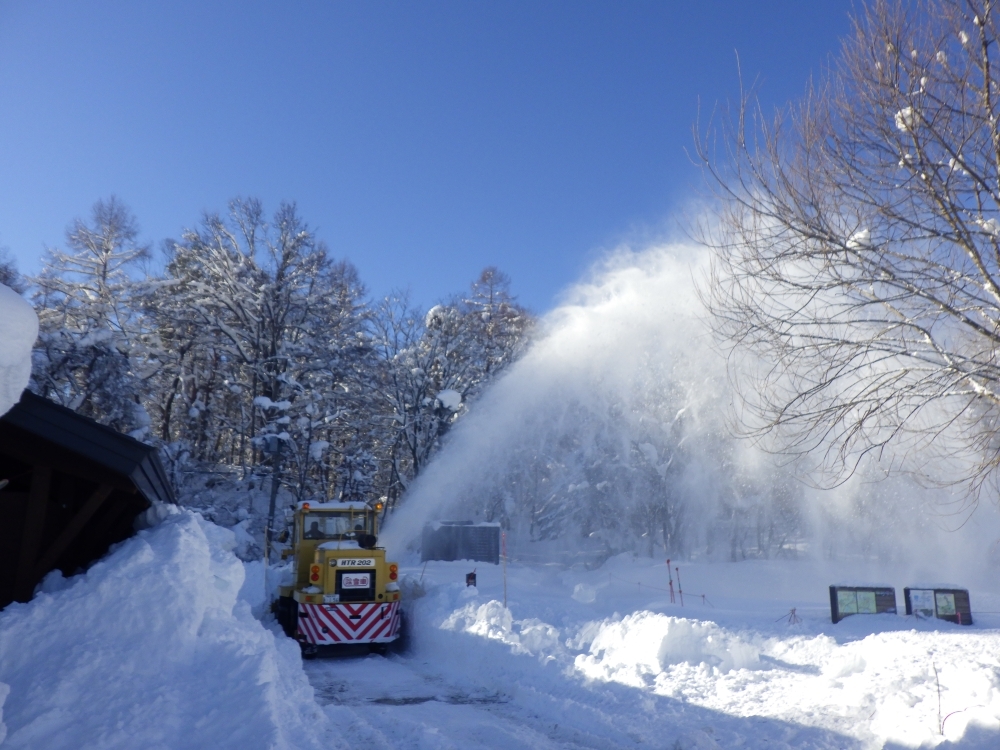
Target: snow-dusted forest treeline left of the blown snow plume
x=250 y=329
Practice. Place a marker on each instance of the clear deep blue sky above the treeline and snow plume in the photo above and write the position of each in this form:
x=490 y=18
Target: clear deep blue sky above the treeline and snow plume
x=423 y=140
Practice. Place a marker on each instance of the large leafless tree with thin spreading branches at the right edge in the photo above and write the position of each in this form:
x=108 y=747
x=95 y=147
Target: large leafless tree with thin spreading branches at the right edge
x=857 y=267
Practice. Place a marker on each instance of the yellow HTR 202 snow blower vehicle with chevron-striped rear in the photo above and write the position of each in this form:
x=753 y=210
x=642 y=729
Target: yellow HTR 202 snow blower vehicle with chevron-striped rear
x=344 y=591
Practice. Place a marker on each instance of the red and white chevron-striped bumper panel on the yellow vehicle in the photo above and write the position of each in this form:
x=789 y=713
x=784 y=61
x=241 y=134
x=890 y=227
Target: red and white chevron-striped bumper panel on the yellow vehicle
x=364 y=622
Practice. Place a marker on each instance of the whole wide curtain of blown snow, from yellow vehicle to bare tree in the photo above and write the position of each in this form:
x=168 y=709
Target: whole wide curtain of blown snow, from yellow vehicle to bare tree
x=611 y=433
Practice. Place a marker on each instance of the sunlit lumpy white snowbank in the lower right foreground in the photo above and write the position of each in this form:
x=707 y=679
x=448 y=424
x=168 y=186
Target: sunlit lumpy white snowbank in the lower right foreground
x=887 y=678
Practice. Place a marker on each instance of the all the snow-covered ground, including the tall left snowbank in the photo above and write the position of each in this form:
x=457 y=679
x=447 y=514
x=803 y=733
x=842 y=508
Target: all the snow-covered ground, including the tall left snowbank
x=157 y=646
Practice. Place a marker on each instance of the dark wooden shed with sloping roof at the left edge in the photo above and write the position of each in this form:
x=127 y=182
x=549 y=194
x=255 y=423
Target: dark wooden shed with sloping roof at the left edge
x=73 y=488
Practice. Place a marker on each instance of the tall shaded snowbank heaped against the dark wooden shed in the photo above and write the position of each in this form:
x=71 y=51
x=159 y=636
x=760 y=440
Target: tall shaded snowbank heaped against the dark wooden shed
x=153 y=648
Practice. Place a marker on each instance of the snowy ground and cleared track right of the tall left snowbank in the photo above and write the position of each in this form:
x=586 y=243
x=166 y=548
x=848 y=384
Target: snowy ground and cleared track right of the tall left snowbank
x=602 y=659
